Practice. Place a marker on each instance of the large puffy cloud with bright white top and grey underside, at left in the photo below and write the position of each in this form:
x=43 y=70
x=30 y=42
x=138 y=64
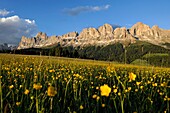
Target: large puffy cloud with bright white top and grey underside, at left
x=13 y=28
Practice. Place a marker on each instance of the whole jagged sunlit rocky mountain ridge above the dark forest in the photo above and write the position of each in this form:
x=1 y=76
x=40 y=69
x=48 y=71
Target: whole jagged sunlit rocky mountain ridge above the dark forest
x=104 y=35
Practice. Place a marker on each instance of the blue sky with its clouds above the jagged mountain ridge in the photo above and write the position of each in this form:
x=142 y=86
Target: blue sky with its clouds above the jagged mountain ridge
x=57 y=17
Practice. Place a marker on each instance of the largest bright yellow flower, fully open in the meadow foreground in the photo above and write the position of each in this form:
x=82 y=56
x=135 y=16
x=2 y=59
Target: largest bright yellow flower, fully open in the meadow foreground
x=105 y=90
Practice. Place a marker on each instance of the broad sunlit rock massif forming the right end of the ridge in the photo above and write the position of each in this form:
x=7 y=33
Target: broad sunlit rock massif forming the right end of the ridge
x=154 y=35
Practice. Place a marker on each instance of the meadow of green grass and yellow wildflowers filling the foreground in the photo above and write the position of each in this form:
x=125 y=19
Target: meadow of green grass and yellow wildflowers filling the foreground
x=34 y=84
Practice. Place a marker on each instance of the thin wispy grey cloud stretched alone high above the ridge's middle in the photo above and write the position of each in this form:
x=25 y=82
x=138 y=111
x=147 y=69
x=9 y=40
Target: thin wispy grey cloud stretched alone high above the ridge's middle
x=77 y=10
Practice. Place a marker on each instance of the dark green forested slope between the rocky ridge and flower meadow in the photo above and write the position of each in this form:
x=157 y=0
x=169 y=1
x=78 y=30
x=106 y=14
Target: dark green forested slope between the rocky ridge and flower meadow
x=115 y=52
